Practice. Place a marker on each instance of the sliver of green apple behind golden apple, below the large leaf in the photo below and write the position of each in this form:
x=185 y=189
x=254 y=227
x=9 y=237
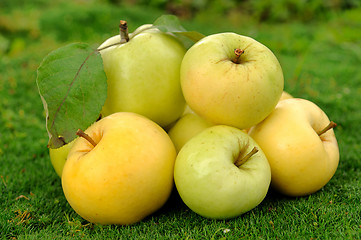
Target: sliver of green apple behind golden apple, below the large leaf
x=58 y=157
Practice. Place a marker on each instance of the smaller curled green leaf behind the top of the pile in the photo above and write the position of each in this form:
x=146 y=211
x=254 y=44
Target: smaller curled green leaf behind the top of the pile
x=171 y=24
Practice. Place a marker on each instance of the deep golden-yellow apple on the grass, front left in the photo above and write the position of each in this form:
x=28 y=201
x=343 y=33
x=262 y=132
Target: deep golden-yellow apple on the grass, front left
x=126 y=177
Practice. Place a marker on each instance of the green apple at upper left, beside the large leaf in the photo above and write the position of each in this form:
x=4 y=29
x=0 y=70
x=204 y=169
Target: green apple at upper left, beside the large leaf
x=143 y=76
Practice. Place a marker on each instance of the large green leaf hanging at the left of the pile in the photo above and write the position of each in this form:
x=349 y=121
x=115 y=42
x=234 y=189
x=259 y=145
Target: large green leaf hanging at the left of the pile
x=73 y=87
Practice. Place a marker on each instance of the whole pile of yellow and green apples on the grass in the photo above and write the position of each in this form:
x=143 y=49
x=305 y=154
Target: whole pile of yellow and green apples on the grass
x=213 y=121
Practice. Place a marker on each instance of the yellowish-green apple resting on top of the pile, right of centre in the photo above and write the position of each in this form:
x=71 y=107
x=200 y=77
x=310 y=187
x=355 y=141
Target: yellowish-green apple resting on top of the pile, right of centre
x=223 y=92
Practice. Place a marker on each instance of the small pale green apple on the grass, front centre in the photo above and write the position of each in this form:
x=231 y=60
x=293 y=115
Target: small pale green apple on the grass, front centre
x=219 y=174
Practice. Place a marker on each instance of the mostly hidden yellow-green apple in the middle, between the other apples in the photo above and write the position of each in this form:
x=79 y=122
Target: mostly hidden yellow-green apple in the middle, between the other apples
x=187 y=127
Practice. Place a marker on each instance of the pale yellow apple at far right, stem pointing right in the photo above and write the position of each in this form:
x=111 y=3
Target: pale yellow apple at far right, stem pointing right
x=301 y=161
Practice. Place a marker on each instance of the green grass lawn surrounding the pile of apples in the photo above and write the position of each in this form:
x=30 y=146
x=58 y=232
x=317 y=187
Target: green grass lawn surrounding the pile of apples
x=321 y=62
